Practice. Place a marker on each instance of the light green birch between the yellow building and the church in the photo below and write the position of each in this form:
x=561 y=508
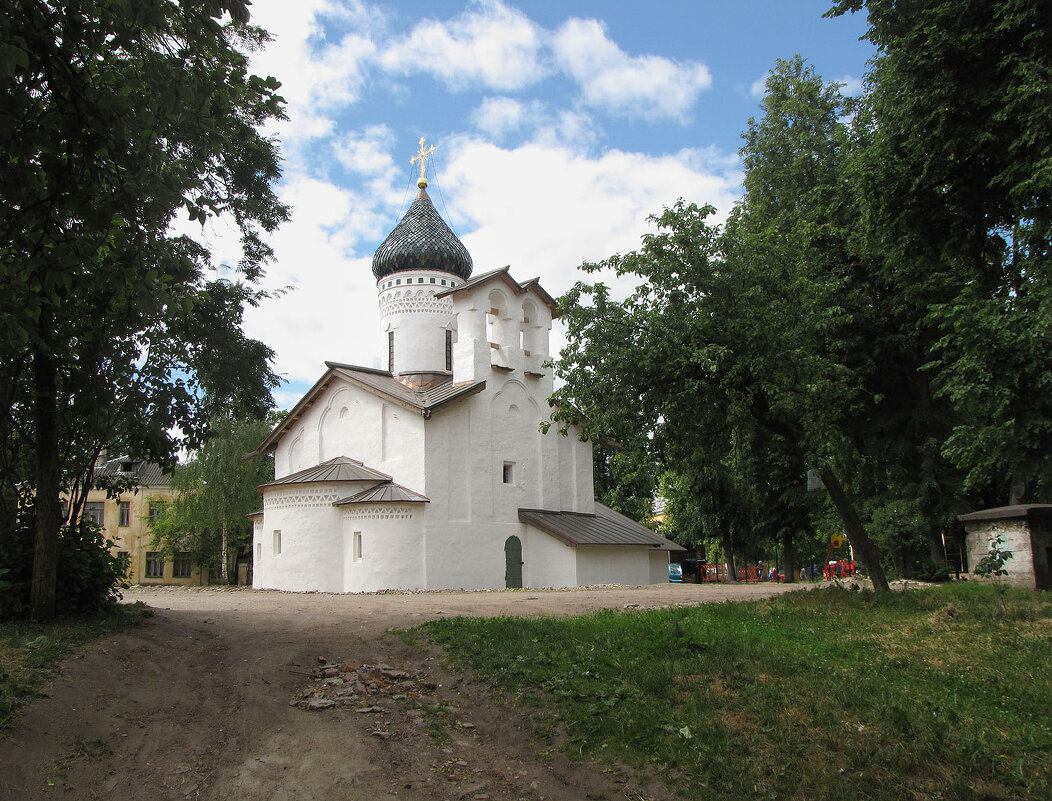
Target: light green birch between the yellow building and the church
x=215 y=492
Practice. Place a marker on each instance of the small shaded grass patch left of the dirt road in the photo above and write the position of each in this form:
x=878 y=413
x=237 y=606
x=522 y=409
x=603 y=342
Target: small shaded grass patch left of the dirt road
x=31 y=653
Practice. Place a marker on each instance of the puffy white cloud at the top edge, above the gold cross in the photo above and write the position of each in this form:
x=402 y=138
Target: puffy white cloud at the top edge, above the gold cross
x=497 y=47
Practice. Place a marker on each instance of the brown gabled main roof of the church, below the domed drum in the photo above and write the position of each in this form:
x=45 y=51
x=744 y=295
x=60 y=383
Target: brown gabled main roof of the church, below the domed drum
x=379 y=383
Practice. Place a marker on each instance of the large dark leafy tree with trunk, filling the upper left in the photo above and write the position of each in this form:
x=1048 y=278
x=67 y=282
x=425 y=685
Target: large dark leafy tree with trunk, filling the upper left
x=118 y=118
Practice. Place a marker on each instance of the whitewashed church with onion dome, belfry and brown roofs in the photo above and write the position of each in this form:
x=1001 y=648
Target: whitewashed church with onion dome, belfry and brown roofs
x=436 y=473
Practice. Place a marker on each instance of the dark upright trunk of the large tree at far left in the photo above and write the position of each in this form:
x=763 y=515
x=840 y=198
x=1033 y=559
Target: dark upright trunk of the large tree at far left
x=47 y=504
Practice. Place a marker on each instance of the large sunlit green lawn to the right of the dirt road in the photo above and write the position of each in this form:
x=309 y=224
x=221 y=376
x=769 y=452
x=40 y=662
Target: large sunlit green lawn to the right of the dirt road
x=833 y=694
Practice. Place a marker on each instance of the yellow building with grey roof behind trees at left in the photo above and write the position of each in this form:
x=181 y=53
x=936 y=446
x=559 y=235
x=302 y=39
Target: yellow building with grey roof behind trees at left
x=127 y=523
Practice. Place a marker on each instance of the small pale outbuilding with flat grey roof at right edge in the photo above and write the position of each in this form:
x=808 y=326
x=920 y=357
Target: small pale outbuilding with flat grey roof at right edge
x=1025 y=530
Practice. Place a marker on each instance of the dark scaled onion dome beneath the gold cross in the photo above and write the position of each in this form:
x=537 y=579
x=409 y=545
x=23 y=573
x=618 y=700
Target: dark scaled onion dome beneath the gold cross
x=422 y=242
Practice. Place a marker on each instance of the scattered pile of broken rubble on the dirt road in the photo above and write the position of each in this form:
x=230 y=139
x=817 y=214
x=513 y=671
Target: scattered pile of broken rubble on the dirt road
x=360 y=687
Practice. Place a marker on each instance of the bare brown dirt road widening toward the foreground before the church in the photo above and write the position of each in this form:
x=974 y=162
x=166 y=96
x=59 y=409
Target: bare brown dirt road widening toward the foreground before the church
x=197 y=705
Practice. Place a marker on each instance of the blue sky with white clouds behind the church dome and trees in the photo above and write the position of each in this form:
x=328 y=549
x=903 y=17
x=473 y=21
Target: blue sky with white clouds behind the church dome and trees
x=559 y=128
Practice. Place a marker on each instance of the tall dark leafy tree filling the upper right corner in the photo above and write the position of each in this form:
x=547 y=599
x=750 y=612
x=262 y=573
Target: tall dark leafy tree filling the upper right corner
x=956 y=179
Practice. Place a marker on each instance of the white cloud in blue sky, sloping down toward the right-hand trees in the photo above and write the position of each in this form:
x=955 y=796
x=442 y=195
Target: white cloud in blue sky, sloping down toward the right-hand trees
x=648 y=87
